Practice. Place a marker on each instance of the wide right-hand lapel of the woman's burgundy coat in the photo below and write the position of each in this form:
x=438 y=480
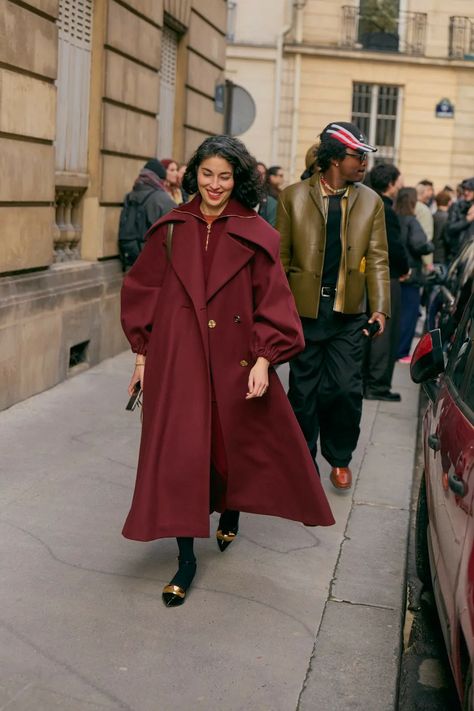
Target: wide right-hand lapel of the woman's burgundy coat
x=230 y=257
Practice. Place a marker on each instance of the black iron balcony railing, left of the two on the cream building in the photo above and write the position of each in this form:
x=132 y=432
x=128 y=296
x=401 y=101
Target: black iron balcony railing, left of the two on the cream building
x=409 y=37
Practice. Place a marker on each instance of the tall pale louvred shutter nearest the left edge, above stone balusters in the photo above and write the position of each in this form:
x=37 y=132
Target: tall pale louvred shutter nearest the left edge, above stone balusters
x=74 y=65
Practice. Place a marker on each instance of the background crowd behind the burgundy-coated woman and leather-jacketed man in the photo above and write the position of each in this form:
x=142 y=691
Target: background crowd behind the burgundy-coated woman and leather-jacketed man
x=424 y=228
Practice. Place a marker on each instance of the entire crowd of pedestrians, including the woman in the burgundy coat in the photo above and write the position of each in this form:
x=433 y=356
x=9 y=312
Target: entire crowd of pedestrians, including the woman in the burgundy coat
x=335 y=289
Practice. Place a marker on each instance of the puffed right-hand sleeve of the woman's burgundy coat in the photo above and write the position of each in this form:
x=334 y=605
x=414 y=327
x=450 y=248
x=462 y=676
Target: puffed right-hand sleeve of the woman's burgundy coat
x=277 y=334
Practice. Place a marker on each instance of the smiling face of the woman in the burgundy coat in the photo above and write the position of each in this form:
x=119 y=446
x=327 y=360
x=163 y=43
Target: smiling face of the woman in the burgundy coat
x=215 y=178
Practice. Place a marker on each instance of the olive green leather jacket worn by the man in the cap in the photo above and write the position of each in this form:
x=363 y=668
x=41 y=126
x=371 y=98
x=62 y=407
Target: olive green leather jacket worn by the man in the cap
x=363 y=271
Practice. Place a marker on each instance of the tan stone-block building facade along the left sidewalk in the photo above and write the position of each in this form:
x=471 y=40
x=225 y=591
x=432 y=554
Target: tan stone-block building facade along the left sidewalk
x=89 y=90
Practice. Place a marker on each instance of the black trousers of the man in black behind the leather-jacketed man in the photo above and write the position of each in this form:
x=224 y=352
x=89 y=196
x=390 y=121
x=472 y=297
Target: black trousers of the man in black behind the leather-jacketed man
x=381 y=353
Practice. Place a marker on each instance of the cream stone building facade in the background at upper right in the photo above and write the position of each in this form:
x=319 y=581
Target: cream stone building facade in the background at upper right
x=308 y=62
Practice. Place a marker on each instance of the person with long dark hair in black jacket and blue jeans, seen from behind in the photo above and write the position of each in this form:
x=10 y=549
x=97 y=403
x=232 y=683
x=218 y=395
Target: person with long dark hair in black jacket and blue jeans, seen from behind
x=416 y=244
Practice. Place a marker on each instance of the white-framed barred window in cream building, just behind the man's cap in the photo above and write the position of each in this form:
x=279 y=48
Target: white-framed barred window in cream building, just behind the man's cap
x=375 y=110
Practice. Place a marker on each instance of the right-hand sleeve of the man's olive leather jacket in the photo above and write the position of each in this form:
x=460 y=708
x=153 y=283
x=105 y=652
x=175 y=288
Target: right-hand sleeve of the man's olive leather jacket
x=377 y=273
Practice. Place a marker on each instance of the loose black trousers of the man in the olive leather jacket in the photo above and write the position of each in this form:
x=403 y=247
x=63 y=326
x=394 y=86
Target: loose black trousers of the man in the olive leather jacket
x=326 y=383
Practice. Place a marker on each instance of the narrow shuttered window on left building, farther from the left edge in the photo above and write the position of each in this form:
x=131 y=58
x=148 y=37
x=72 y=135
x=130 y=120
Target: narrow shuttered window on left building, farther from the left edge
x=169 y=58
